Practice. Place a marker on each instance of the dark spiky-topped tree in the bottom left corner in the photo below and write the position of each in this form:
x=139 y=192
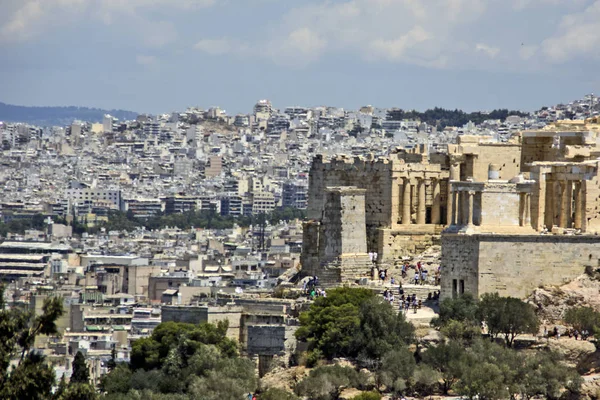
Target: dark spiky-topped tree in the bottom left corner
x=31 y=377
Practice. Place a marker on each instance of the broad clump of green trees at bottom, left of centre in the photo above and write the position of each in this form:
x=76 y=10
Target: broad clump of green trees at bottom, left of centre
x=197 y=361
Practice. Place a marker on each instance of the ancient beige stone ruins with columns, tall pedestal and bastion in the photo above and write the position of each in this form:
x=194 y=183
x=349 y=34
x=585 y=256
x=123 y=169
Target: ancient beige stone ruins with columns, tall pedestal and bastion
x=509 y=216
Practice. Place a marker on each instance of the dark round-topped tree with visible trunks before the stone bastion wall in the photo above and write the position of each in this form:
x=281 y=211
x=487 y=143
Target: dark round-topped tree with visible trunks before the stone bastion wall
x=508 y=316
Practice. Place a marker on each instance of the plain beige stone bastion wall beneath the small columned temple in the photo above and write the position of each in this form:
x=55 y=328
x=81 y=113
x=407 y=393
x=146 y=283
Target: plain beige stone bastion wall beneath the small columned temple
x=513 y=265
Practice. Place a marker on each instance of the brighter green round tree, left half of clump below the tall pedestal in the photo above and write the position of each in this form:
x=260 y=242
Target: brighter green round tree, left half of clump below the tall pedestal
x=332 y=322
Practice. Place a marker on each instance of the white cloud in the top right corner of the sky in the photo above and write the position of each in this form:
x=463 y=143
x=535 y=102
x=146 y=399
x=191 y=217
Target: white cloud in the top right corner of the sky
x=579 y=35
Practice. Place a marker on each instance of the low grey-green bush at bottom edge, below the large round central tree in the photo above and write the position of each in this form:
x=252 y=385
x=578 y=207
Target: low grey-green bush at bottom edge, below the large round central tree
x=325 y=383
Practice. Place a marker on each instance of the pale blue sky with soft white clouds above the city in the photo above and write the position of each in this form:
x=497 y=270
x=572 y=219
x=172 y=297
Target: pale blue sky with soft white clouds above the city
x=160 y=56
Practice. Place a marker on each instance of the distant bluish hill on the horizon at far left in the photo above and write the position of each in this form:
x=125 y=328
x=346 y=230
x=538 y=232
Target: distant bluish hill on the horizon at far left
x=58 y=116
